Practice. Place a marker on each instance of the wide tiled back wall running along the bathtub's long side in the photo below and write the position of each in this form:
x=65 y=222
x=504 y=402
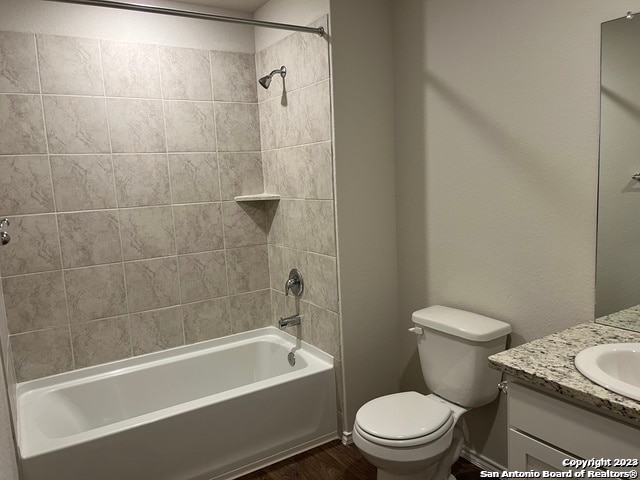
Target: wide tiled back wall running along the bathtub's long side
x=119 y=166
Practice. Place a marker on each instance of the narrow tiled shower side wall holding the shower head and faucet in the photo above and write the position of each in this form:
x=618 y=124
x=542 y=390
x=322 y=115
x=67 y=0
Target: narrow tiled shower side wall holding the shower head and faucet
x=296 y=133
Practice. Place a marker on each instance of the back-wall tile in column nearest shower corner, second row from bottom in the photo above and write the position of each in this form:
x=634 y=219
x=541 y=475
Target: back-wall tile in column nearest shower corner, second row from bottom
x=247 y=269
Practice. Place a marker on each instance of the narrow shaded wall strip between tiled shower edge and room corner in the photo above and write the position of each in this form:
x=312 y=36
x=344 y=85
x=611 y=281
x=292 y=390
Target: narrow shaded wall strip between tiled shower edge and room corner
x=365 y=193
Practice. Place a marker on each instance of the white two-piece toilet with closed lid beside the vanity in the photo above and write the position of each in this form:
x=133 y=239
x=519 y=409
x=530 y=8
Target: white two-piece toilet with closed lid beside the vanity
x=410 y=436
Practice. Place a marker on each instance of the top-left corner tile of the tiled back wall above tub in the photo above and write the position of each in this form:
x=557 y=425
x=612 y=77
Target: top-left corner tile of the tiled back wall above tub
x=18 y=66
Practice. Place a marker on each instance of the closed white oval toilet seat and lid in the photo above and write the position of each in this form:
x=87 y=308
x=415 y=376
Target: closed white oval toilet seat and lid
x=403 y=420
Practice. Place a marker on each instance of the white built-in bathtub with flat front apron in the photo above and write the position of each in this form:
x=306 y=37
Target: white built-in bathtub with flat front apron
x=218 y=409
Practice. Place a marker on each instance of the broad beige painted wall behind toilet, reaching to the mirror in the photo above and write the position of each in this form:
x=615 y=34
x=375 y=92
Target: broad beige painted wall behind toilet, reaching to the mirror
x=497 y=114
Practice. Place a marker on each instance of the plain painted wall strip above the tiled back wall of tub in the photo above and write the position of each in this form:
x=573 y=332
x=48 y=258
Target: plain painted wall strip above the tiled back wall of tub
x=37 y=16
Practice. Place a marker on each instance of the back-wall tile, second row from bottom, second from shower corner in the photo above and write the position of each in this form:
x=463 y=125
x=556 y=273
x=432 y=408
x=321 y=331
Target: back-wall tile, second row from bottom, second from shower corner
x=202 y=276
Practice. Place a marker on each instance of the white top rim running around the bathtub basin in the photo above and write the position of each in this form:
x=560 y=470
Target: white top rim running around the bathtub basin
x=317 y=361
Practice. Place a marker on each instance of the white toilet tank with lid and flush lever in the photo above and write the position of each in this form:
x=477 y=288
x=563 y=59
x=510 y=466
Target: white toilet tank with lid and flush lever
x=453 y=348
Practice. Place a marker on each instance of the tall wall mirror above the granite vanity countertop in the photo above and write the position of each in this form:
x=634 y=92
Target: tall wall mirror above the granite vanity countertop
x=618 y=245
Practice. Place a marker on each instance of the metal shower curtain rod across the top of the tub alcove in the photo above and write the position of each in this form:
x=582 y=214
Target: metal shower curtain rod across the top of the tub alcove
x=189 y=14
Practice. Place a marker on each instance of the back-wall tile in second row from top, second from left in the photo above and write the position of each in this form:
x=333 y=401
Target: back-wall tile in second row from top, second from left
x=76 y=124
